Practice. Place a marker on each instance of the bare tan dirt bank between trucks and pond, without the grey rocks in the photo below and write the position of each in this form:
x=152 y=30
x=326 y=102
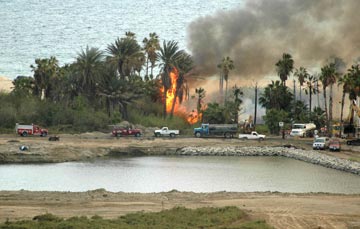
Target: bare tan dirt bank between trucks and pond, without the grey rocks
x=92 y=145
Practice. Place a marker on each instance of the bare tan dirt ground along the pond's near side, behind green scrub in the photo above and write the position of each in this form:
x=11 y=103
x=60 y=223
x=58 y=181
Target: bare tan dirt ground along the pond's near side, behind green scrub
x=281 y=210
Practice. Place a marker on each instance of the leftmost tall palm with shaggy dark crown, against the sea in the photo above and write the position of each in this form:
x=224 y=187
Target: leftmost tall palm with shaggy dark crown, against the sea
x=45 y=70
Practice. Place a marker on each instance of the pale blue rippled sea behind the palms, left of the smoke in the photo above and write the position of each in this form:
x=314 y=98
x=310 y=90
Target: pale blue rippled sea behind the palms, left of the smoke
x=31 y=29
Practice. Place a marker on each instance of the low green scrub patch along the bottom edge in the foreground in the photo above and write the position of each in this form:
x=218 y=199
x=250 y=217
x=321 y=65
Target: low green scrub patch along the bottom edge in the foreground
x=179 y=217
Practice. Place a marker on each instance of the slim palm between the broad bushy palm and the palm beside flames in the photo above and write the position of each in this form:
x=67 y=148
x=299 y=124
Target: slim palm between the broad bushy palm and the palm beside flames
x=151 y=46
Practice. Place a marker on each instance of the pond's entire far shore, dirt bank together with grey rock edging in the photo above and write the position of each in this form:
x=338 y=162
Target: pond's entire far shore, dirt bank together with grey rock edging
x=92 y=146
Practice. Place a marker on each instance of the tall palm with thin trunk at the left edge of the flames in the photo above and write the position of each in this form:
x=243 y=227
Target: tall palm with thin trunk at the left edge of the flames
x=169 y=56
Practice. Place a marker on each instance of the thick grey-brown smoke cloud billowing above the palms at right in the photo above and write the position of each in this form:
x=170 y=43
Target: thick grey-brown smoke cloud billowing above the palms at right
x=257 y=35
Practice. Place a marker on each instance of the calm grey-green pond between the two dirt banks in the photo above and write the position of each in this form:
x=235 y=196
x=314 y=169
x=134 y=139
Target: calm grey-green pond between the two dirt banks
x=198 y=174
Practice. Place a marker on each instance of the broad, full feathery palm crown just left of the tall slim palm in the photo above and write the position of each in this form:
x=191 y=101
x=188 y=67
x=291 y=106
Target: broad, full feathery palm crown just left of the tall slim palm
x=126 y=54
